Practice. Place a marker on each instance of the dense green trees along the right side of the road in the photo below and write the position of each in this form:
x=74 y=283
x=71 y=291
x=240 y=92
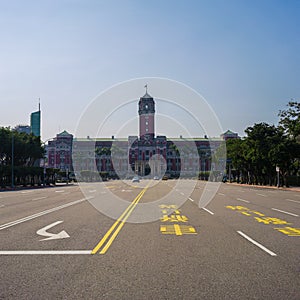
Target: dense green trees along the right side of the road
x=266 y=149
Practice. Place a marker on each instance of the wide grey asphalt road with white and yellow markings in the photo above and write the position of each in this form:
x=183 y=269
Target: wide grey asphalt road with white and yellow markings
x=56 y=245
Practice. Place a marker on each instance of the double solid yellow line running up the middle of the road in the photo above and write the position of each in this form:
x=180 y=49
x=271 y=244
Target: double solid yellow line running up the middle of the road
x=112 y=233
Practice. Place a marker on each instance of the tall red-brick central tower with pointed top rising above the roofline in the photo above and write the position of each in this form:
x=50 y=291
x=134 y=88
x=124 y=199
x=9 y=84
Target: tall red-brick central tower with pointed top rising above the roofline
x=146 y=116
